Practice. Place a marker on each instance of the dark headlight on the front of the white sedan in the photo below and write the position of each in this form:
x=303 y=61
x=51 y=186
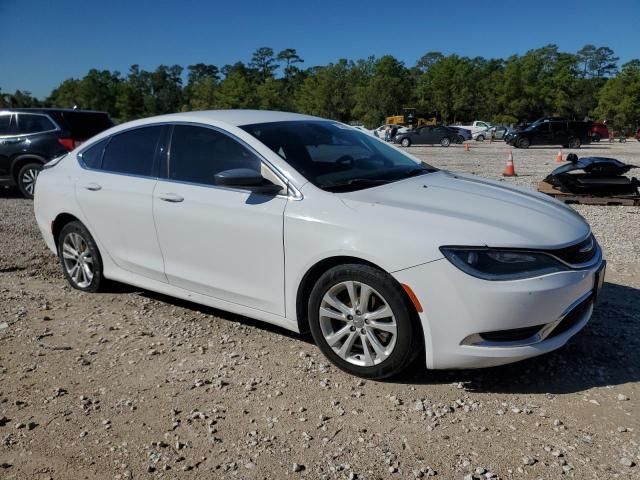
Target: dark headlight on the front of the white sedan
x=499 y=264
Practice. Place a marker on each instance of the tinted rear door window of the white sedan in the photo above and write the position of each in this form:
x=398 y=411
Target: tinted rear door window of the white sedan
x=133 y=152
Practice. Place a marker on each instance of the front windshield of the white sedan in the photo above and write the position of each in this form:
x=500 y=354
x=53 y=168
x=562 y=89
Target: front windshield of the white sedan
x=335 y=157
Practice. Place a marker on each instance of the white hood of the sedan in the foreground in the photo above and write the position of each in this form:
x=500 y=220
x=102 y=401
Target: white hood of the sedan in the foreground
x=443 y=208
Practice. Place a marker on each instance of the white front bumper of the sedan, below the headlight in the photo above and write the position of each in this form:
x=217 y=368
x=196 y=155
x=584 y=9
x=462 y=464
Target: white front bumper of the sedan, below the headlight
x=459 y=309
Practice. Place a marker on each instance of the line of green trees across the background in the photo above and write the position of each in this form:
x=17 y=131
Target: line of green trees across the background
x=543 y=81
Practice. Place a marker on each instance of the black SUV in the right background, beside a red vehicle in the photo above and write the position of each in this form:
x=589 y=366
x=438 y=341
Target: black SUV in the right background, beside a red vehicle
x=551 y=131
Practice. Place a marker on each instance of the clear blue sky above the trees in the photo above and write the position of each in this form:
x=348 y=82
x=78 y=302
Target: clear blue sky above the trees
x=44 y=42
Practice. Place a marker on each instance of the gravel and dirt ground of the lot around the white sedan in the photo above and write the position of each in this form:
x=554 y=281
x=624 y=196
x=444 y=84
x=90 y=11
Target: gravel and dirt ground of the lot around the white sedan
x=130 y=384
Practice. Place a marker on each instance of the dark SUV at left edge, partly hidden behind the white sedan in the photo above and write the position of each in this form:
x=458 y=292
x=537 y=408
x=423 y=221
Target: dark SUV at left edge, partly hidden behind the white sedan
x=30 y=137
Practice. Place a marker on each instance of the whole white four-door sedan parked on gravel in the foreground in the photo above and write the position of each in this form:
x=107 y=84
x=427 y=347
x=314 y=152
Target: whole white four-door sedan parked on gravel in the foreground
x=314 y=226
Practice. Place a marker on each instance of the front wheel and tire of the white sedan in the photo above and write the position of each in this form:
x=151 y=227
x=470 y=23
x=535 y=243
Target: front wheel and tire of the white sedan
x=361 y=321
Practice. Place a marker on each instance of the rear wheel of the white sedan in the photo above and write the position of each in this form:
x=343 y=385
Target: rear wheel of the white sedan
x=80 y=258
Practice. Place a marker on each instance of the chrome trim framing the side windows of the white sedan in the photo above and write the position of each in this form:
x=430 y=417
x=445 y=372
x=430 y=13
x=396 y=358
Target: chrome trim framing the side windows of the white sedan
x=292 y=192
